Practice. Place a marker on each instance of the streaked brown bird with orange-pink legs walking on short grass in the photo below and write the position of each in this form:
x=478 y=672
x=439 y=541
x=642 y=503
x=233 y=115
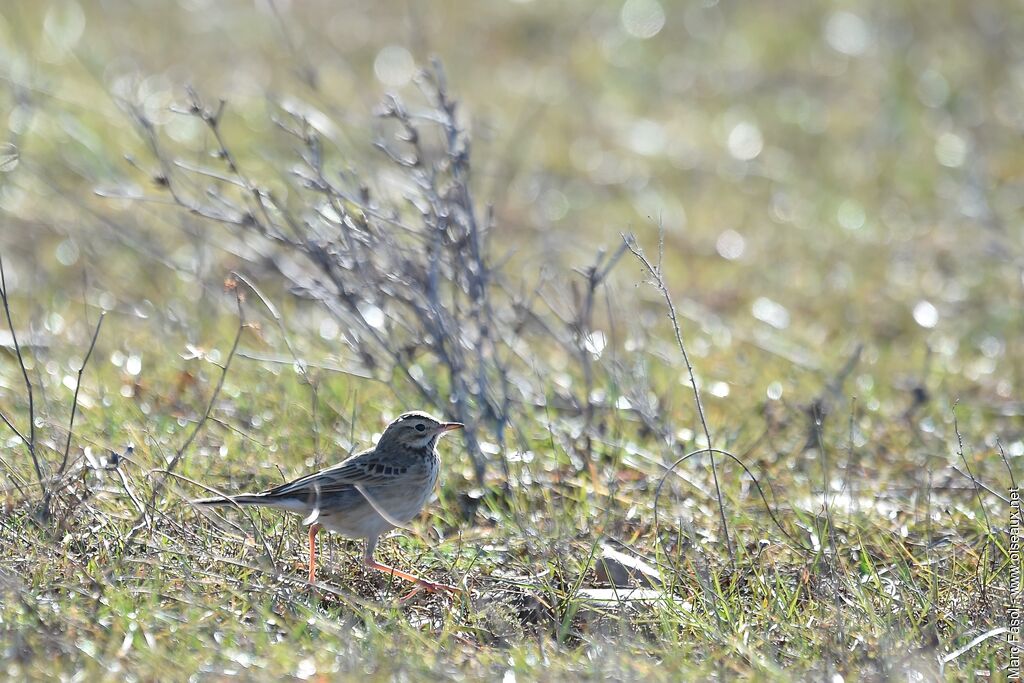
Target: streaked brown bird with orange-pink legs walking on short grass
x=367 y=494
